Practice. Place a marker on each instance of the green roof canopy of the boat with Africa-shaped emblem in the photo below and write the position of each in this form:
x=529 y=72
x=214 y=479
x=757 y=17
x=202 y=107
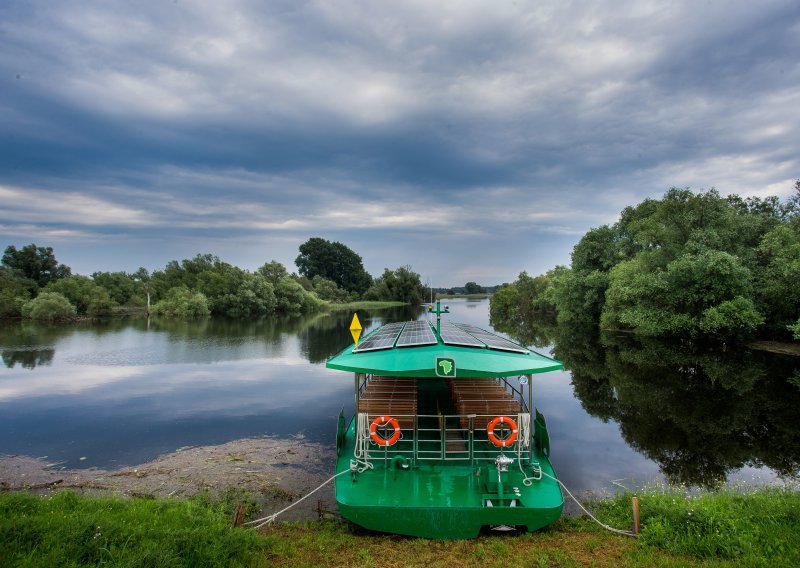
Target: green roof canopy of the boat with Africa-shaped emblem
x=442 y=359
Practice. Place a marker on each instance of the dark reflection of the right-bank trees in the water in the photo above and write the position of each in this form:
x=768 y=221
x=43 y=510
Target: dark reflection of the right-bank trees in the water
x=699 y=411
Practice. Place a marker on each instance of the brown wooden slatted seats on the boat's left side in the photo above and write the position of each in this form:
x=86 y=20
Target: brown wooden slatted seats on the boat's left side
x=390 y=396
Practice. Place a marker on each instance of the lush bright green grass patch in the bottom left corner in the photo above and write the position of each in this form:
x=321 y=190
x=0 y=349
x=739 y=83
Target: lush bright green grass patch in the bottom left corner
x=70 y=531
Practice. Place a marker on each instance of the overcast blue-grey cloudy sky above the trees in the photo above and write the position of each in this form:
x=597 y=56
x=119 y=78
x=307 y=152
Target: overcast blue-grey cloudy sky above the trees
x=471 y=140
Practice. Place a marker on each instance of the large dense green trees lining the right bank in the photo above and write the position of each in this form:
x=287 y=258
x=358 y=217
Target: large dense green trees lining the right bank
x=689 y=265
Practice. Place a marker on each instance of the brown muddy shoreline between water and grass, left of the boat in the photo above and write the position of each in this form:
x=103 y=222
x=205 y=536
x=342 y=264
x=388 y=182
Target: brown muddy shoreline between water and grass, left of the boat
x=274 y=471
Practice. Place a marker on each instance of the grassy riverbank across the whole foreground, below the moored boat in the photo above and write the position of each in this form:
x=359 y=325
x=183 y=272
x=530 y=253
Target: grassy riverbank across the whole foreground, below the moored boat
x=727 y=528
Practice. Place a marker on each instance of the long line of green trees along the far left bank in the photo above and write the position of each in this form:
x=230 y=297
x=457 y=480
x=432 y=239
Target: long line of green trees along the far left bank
x=33 y=284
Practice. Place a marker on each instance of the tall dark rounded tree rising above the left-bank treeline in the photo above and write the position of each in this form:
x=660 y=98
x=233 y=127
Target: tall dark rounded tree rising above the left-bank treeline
x=333 y=261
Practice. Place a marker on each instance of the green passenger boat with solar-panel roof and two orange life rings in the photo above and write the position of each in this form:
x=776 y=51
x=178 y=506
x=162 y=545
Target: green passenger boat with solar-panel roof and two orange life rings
x=444 y=442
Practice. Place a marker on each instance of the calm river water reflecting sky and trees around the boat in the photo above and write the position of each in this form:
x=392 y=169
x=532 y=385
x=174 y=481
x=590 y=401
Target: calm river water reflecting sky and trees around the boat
x=625 y=413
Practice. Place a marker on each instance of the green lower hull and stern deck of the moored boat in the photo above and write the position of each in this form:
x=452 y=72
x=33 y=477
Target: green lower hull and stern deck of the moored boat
x=443 y=499
